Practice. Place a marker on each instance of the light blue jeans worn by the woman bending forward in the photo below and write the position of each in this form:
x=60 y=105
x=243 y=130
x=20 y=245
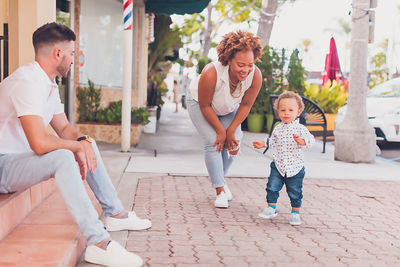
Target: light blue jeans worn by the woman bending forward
x=217 y=163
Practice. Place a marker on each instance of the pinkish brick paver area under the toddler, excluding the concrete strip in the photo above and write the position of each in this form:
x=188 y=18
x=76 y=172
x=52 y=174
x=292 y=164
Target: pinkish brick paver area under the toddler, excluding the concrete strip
x=345 y=223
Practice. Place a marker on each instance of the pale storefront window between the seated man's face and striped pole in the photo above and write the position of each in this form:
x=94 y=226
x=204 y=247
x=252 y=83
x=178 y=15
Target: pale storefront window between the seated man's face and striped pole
x=100 y=55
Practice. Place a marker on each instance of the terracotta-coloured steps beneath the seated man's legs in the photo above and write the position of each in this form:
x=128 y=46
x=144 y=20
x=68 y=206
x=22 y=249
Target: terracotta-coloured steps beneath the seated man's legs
x=48 y=236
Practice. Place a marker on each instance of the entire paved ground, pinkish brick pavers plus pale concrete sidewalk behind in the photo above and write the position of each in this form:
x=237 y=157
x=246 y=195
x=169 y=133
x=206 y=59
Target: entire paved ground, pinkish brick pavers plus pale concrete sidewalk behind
x=350 y=212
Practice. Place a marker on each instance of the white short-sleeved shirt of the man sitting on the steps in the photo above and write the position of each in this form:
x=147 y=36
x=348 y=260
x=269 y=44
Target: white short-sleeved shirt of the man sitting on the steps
x=27 y=91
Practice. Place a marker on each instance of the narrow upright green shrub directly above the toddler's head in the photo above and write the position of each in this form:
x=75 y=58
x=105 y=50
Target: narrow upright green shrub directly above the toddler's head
x=296 y=74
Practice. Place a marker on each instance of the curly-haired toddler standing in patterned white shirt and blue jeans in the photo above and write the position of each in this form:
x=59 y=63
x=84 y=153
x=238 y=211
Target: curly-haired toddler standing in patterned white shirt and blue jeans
x=287 y=140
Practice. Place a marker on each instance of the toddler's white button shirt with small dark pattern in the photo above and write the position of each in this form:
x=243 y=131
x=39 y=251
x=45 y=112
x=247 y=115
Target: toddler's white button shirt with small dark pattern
x=287 y=154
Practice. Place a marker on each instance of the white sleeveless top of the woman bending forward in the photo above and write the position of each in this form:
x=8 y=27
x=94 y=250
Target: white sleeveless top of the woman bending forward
x=223 y=102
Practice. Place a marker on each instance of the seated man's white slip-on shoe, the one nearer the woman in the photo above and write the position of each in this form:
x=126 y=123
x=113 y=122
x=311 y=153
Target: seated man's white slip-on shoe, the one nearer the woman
x=133 y=222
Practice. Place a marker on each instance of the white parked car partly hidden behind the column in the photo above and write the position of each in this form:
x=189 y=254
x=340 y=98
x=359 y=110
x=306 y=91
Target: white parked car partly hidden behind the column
x=383 y=110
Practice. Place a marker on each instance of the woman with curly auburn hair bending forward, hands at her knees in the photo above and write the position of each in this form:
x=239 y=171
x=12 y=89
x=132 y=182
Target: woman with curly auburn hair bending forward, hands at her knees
x=220 y=99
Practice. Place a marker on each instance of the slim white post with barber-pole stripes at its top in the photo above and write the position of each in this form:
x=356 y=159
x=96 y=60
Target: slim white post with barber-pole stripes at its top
x=127 y=77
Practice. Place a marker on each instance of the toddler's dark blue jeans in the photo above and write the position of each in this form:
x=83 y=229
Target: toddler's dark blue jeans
x=294 y=186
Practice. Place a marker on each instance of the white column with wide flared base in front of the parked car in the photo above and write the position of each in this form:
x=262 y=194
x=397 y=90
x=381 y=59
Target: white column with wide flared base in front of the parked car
x=354 y=136
